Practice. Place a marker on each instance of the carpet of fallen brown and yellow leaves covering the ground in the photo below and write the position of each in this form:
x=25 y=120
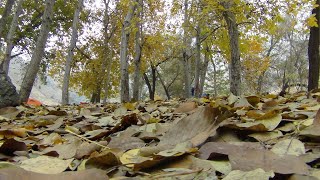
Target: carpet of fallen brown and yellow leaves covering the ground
x=253 y=137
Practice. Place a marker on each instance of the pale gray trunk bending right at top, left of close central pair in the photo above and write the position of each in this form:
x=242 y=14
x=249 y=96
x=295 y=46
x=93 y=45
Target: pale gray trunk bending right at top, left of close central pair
x=124 y=74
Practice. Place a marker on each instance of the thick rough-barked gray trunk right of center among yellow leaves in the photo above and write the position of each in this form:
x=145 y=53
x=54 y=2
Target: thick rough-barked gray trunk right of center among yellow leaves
x=235 y=64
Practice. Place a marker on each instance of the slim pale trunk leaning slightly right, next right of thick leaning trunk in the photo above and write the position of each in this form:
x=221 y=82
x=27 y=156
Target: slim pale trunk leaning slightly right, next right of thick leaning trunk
x=74 y=38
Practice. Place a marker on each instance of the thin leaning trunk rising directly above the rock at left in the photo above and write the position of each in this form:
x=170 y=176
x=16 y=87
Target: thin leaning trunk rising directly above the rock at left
x=10 y=35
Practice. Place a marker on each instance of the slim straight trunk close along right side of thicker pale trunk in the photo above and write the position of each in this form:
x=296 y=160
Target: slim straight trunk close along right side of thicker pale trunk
x=137 y=58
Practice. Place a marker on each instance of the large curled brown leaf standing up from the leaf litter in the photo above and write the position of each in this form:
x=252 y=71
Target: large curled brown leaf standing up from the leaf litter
x=195 y=128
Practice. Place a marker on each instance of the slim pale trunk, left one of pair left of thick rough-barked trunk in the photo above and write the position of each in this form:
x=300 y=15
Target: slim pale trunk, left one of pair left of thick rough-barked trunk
x=186 y=57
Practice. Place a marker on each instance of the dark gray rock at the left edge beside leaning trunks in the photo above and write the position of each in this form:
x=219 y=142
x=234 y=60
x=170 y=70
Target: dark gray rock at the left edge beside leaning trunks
x=8 y=93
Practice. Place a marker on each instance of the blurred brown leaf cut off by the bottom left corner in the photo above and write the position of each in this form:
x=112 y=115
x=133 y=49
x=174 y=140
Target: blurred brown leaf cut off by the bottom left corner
x=19 y=173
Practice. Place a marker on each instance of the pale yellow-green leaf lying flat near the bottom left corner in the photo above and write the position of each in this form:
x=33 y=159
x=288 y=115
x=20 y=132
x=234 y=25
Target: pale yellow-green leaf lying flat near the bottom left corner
x=45 y=165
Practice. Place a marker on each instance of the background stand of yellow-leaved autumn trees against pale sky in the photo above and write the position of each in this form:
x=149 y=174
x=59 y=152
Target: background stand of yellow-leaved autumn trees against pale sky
x=149 y=48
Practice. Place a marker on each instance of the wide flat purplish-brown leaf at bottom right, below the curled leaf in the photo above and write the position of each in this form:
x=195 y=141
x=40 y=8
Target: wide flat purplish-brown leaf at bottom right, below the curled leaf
x=247 y=158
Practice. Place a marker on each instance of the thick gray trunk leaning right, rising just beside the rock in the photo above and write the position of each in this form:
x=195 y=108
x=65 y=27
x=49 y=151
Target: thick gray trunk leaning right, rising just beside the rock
x=38 y=52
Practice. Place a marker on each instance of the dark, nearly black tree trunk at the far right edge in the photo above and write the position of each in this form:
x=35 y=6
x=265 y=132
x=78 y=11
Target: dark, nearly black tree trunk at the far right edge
x=313 y=52
